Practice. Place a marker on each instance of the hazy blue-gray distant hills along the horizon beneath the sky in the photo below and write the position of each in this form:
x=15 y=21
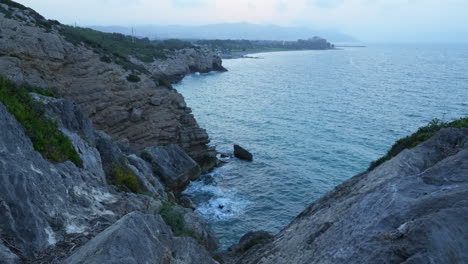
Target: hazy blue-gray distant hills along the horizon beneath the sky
x=229 y=31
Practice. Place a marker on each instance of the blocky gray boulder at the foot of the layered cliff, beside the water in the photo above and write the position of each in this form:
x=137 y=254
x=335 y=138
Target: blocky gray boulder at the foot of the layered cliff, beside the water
x=173 y=165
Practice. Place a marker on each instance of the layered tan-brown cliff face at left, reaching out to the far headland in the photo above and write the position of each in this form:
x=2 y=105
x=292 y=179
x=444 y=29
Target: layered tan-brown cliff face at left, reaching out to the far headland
x=142 y=113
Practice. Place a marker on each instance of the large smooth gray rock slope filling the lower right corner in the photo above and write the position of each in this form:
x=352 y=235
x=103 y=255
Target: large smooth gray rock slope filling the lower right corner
x=411 y=209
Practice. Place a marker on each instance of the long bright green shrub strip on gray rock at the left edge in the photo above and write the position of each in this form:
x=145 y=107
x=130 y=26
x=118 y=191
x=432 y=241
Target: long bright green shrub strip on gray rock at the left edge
x=45 y=136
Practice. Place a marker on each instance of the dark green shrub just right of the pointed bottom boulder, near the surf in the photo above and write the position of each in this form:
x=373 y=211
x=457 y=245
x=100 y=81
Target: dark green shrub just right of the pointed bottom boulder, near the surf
x=176 y=221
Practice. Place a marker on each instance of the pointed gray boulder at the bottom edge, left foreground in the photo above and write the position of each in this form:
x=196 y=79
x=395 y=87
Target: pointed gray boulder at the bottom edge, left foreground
x=140 y=238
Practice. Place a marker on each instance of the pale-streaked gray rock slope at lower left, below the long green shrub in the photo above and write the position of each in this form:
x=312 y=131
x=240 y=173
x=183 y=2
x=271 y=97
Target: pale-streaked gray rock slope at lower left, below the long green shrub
x=60 y=204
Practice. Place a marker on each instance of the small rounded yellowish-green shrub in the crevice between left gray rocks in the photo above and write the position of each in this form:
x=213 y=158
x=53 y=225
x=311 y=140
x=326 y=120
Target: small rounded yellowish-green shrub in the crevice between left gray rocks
x=122 y=176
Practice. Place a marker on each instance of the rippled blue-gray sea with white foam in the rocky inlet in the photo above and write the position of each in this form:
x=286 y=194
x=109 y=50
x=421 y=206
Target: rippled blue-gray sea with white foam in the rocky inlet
x=312 y=119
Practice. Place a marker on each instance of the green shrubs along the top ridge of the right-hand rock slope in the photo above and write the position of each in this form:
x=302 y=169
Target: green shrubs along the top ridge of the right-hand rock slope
x=423 y=134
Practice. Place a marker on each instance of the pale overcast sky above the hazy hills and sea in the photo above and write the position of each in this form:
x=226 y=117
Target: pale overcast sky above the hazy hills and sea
x=368 y=20
